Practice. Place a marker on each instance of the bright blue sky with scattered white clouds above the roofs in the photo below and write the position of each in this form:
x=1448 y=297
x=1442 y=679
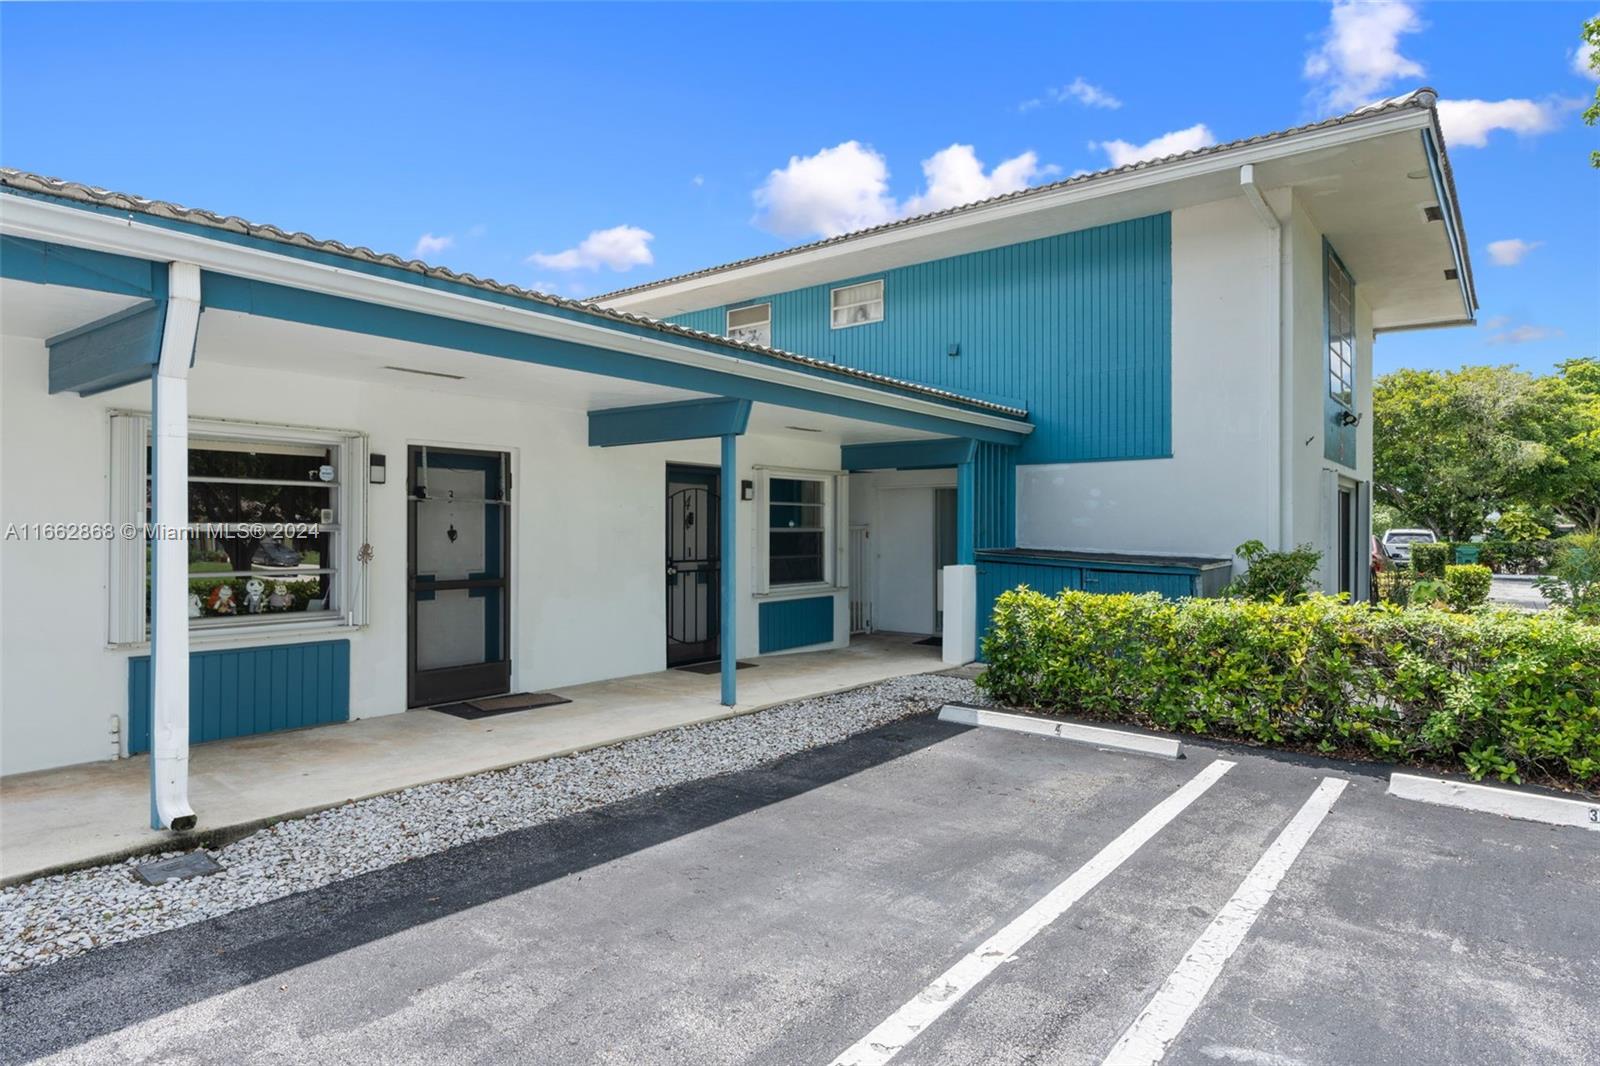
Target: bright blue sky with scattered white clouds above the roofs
x=585 y=148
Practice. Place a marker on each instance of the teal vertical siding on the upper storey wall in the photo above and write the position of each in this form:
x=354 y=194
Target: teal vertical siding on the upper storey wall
x=1074 y=327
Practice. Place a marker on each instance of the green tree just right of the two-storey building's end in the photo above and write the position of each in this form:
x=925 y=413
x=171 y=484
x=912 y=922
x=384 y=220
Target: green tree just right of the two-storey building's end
x=1450 y=447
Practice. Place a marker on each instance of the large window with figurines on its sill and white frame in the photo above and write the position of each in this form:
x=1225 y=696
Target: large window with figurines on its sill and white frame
x=273 y=513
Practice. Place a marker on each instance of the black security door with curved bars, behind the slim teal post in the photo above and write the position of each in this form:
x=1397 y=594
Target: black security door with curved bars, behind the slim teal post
x=694 y=566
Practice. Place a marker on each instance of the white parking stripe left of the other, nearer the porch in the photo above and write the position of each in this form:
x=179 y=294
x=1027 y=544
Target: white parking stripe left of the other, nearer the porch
x=946 y=990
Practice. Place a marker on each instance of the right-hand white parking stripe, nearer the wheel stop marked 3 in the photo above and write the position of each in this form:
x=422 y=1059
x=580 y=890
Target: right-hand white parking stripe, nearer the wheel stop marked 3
x=1159 y=1025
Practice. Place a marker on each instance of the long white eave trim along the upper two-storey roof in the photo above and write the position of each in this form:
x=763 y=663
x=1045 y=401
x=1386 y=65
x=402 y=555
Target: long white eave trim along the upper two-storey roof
x=1070 y=196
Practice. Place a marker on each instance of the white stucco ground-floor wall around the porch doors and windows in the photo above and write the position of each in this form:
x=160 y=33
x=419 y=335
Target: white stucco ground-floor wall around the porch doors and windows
x=588 y=561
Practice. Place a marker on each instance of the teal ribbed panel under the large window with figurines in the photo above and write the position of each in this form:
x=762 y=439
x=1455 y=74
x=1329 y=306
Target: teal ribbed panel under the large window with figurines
x=241 y=692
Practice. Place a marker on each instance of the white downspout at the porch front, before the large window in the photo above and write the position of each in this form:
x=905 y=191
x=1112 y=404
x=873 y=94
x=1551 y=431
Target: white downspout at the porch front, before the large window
x=170 y=556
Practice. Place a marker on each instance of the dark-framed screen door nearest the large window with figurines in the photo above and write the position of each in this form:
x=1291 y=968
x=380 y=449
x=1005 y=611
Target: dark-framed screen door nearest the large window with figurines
x=460 y=575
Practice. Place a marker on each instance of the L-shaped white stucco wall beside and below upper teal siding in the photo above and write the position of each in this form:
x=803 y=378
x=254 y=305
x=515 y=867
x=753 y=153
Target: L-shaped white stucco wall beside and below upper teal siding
x=1215 y=492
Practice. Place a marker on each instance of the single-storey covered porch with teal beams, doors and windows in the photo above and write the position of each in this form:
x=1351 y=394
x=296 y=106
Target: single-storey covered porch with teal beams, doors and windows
x=503 y=494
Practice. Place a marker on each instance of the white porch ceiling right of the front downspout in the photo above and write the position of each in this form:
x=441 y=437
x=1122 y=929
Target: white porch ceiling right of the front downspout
x=238 y=340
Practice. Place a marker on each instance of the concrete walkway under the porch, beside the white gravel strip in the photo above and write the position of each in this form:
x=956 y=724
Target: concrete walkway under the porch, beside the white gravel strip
x=100 y=811
